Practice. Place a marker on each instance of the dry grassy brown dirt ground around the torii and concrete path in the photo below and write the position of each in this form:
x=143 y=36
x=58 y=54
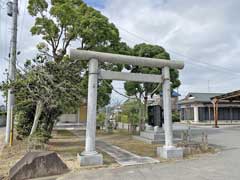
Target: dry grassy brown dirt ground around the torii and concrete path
x=69 y=143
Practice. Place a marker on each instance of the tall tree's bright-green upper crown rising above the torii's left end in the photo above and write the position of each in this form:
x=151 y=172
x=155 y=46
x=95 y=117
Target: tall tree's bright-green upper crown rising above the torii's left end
x=60 y=22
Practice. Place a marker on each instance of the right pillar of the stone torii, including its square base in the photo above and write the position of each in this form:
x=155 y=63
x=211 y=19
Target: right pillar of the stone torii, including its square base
x=168 y=151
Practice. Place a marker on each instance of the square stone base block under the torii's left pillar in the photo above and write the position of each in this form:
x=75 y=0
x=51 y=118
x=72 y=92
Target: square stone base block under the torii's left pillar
x=93 y=159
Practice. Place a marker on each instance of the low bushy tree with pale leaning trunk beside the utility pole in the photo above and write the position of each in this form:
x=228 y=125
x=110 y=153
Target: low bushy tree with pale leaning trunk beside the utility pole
x=42 y=90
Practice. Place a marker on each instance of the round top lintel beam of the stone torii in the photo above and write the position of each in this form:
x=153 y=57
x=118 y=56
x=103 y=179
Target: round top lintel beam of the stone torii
x=123 y=59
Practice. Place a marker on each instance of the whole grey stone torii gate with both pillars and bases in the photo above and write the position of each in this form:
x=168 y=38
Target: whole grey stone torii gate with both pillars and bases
x=90 y=156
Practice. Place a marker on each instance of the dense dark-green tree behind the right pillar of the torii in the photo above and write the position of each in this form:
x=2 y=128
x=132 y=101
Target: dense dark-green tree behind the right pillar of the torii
x=142 y=90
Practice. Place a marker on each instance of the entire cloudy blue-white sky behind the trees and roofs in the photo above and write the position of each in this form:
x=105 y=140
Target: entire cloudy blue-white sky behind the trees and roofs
x=205 y=35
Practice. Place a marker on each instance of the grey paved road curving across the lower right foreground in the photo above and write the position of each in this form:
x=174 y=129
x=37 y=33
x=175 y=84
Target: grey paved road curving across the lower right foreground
x=224 y=165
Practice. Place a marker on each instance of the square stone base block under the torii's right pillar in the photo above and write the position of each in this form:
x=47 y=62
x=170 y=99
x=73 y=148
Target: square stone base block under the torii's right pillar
x=170 y=152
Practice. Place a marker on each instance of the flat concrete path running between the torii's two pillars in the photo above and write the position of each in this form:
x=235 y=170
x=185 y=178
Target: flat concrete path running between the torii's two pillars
x=123 y=157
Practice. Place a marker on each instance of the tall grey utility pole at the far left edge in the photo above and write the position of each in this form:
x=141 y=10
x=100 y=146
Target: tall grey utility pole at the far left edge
x=12 y=69
